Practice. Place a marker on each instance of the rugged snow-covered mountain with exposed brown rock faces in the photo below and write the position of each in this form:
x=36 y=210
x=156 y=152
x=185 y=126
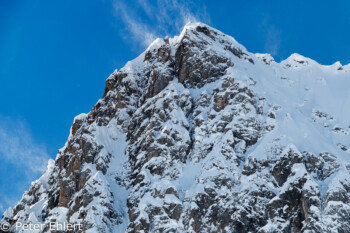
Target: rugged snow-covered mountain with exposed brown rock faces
x=199 y=135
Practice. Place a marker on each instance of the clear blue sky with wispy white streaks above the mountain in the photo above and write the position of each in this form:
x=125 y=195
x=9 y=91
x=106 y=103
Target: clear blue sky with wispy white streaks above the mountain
x=55 y=56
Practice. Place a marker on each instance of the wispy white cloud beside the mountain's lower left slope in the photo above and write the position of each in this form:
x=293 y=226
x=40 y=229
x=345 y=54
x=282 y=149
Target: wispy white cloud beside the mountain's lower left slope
x=22 y=160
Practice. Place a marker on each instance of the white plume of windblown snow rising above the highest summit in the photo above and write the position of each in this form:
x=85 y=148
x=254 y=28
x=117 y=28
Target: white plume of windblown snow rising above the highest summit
x=146 y=20
